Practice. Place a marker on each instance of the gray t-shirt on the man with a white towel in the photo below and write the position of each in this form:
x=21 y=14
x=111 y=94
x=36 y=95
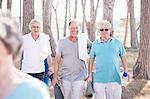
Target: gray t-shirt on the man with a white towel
x=72 y=68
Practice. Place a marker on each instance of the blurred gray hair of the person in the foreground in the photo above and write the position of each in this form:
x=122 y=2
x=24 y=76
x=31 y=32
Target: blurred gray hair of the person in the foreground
x=10 y=34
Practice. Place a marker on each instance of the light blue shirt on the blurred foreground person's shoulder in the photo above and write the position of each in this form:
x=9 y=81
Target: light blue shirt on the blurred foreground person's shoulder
x=30 y=89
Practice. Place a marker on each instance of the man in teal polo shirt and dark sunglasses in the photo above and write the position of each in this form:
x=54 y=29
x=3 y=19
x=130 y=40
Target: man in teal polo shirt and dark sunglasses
x=107 y=51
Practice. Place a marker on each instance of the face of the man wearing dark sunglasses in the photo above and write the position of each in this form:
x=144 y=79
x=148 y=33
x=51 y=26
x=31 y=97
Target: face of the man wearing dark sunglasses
x=105 y=31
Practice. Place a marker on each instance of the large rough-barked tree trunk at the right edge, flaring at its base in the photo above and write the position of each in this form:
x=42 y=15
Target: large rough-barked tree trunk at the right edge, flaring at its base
x=142 y=66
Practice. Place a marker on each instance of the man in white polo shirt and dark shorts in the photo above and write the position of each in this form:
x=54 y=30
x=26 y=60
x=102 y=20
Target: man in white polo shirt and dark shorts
x=36 y=48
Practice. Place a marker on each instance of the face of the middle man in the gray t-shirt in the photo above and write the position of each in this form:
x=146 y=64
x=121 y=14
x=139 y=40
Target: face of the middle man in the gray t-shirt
x=73 y=29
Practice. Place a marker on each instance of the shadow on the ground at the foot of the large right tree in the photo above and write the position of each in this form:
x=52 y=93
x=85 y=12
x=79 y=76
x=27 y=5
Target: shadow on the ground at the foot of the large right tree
x=133 y=88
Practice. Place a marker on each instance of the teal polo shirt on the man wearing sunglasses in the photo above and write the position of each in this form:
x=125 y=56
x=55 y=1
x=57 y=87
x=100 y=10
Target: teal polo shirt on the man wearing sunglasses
x=107 y=55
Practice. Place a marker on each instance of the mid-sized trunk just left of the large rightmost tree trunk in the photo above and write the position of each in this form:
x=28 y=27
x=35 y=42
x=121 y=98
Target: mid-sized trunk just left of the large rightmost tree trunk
x=134 y=40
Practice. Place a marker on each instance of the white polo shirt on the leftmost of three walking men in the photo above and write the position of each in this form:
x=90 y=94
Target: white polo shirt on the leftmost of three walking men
x=34 y=53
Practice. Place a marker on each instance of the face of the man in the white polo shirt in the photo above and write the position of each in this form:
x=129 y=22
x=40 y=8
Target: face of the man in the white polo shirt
x=35 y=28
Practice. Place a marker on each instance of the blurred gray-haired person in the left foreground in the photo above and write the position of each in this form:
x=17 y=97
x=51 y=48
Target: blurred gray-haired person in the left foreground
x=13 y=83
